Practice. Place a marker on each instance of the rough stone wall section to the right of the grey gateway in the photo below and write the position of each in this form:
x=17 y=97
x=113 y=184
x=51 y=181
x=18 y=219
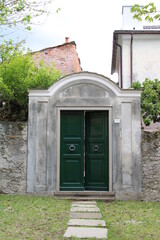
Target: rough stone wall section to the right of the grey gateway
x=151 y=166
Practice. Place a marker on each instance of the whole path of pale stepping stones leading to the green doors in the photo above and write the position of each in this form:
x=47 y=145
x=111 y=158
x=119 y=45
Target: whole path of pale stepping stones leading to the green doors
x=86 y=221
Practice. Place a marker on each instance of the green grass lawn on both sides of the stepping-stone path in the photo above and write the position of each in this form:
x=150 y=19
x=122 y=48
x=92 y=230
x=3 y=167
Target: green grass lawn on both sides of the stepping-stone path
x=45 y=218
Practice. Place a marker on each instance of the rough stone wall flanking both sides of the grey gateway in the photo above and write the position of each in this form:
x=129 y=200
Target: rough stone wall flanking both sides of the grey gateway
x=13 y=160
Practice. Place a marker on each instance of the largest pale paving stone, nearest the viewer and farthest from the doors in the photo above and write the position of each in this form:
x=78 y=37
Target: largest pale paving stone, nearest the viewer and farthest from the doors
x=82 y=232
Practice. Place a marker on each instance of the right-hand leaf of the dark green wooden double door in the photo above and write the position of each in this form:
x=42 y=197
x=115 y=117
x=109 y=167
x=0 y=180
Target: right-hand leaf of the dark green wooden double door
x=96 y=155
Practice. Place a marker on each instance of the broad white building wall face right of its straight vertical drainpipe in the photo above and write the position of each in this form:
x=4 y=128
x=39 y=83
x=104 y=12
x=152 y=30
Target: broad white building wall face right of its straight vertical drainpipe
x=146 y=57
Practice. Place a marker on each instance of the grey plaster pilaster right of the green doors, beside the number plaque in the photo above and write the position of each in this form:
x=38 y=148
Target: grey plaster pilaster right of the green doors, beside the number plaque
x=127 y=147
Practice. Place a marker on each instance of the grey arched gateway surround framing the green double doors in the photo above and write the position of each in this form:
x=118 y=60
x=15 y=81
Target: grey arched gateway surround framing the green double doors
x=84 y=91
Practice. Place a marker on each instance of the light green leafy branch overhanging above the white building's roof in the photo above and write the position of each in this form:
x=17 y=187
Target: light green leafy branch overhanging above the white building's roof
x=148 y=11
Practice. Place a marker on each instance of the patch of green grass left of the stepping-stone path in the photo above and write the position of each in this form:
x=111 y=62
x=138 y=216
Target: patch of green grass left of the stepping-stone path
x=34 y=218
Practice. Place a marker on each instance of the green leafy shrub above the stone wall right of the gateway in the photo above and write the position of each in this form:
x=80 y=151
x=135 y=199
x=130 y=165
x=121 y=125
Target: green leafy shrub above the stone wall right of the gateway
x=150 y=100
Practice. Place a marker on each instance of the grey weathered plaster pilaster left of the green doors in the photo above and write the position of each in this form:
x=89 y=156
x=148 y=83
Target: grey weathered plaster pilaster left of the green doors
x=39 y=167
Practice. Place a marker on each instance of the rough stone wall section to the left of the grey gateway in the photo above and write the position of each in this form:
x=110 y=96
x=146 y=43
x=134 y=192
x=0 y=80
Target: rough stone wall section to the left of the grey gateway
x=13 y=157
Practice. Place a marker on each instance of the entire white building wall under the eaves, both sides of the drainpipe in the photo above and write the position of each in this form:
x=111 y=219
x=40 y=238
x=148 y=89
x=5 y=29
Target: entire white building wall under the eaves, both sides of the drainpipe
x=145 y=60
